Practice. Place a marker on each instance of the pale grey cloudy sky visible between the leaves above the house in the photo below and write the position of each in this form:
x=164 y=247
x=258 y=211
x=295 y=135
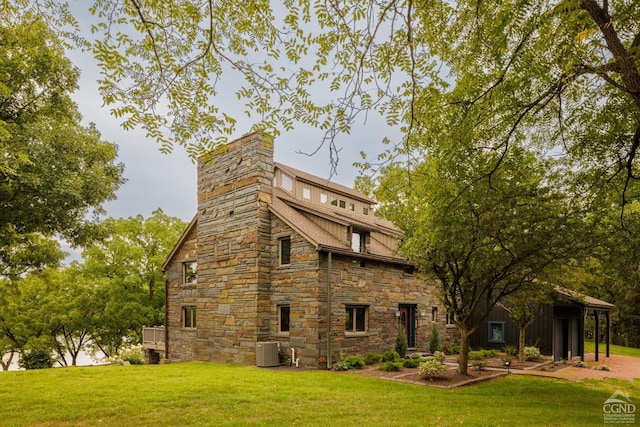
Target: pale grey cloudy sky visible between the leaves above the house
x=156 y=180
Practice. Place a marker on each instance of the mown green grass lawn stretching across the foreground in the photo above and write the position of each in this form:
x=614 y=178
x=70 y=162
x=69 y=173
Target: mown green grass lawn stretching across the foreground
x=226 y=395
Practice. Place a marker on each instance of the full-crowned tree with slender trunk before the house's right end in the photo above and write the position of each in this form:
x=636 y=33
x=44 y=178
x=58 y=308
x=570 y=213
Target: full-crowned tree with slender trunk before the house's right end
x=482 y=236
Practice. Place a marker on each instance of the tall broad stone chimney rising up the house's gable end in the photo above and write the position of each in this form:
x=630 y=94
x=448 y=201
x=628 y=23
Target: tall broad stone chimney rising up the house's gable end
x=234 y=252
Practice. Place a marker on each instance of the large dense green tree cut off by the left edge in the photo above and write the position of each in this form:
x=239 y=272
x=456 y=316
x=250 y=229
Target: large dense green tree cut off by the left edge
x=54 y=173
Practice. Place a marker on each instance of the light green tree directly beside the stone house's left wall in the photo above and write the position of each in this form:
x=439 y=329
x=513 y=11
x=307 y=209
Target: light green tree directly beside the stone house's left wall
x=126 y=267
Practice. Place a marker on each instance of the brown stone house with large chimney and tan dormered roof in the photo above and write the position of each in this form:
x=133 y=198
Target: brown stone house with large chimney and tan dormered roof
x=280 y=257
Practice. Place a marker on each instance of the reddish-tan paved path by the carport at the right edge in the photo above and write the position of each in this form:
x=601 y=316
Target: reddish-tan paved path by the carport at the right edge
x=622 y=367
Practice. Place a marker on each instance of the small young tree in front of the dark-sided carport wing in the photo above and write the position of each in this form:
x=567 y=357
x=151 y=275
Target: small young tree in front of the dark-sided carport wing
x=523 y=306
